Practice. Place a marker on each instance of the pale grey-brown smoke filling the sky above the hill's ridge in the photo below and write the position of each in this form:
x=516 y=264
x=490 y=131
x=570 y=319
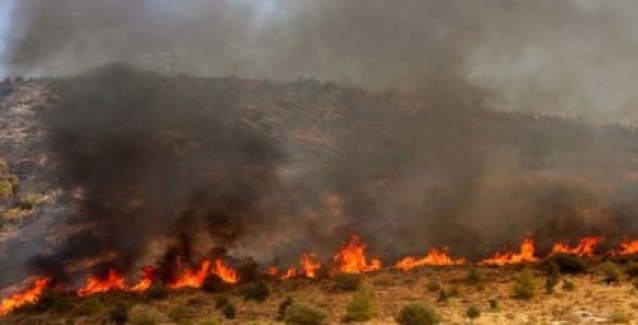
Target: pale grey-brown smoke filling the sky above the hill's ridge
x=573 y=58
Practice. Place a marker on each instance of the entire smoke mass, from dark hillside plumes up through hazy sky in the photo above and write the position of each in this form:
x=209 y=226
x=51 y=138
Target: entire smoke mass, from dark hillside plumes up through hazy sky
x=195 y=163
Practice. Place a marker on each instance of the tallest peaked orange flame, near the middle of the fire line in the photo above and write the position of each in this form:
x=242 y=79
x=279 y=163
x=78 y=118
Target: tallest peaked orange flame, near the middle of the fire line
x=352 y=259
